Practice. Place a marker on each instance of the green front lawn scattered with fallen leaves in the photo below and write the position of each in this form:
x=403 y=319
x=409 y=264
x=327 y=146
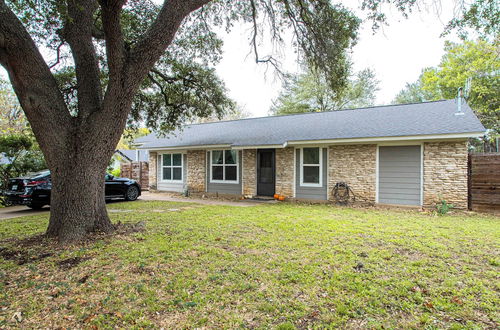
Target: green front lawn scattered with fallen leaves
x=270 y=266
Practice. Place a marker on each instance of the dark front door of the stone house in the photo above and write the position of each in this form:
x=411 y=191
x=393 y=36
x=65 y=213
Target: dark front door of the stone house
x=266 y=172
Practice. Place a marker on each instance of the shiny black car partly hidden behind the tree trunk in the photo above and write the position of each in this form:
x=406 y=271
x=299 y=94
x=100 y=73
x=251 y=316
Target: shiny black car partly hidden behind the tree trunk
x=34 y=190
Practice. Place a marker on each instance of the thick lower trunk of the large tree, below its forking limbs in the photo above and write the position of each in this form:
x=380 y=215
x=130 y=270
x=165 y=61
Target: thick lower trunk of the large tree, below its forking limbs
x=77 y=198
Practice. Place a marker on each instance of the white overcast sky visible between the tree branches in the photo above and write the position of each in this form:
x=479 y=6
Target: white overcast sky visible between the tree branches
x=397 y=53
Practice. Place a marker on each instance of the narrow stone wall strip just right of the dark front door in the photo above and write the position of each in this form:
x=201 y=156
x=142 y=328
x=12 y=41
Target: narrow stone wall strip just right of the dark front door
x=284 y=171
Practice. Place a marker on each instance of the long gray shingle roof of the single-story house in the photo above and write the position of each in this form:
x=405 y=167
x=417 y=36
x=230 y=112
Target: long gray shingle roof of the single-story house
x=428 y=118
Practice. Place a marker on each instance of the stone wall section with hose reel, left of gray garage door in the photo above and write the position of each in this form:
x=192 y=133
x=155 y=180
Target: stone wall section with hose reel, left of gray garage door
x=356 y=165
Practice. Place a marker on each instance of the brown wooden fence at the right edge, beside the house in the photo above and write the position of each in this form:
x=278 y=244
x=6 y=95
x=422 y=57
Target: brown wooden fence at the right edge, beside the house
x=484 y=182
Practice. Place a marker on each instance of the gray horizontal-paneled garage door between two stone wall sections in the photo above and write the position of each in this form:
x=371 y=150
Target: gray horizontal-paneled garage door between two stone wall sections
x=399 y=175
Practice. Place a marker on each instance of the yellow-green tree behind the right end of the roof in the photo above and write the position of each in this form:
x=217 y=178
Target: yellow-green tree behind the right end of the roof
x=476 y=60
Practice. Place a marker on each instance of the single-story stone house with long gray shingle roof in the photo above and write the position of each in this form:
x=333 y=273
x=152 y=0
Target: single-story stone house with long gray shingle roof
x=412 y=154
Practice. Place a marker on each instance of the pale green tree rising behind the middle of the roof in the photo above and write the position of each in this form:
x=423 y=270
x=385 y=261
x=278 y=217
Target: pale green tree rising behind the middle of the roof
x=309 y=92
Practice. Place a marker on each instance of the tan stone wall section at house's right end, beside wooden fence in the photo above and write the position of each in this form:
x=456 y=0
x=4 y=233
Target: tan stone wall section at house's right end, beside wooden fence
x=445 y=173
